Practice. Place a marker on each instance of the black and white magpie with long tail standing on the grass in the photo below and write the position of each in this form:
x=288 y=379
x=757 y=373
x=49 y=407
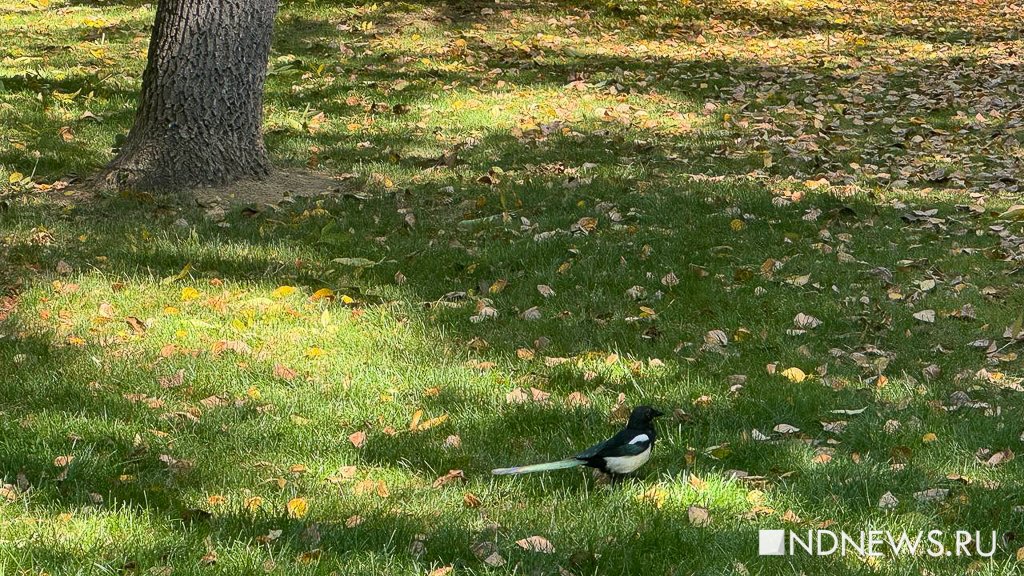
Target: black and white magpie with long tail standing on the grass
x=621 y=455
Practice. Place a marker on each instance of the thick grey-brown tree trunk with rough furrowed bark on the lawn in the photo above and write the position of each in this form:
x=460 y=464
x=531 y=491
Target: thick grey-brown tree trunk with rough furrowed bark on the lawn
x=200 y=117
